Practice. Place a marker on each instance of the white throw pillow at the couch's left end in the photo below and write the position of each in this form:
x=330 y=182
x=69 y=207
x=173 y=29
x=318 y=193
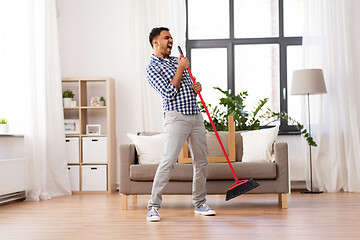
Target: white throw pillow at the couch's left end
x=149 y=148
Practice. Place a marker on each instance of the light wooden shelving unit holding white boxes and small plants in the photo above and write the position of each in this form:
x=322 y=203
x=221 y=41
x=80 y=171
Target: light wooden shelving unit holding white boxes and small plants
x=91 y=154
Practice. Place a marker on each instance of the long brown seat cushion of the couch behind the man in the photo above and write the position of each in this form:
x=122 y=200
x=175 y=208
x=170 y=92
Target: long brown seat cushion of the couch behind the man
x=216 y=171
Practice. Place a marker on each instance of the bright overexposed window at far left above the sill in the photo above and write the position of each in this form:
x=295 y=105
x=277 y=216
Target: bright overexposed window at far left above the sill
x=13 y=62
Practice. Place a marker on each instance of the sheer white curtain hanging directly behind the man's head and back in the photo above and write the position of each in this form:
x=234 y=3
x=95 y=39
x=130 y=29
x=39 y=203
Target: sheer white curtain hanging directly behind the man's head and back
x=148 y=14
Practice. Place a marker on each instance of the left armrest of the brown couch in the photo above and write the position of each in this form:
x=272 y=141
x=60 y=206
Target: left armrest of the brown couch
x=127 y=157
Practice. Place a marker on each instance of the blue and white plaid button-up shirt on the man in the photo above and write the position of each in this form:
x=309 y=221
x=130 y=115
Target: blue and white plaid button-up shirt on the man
x=160 y=73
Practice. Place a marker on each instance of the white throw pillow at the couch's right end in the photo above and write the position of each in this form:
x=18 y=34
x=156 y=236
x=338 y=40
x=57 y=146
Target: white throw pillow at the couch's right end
x=257 y=144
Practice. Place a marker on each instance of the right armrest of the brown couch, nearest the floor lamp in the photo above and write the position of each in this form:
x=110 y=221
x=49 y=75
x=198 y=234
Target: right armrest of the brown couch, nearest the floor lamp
x=282 y=162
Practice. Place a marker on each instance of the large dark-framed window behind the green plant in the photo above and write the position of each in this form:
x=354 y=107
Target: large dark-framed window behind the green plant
x=240 y=45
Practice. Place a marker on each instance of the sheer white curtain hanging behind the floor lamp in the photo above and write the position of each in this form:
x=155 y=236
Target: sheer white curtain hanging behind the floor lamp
x=331 y=42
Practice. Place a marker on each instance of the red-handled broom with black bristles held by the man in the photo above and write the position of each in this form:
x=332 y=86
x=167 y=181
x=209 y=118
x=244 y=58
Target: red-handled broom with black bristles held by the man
x=240 y=186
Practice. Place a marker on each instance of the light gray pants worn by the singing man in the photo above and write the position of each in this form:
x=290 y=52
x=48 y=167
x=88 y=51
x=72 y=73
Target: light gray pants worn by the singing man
x=178 y=129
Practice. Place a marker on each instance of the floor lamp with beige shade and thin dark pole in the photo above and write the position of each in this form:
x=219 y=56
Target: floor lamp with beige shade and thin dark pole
x=306 y=82
